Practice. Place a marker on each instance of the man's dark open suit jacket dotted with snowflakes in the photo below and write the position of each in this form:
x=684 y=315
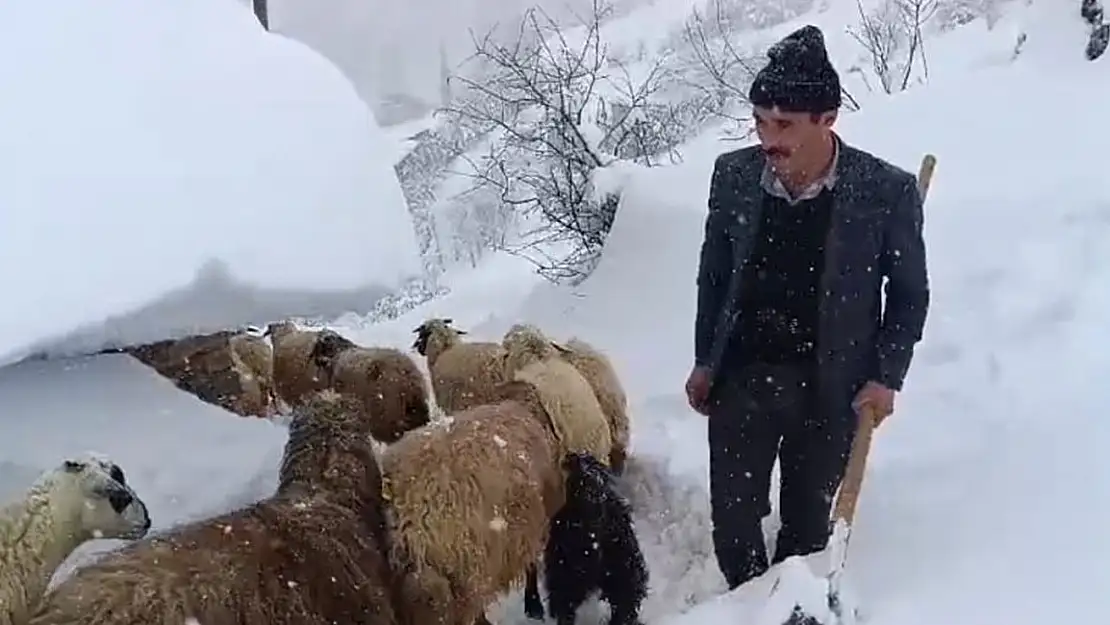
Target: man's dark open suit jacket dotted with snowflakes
x=876 y=233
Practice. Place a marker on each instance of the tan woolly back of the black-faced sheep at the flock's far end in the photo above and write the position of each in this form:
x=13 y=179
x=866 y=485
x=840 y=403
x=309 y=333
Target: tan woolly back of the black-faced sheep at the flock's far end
x=466 y=376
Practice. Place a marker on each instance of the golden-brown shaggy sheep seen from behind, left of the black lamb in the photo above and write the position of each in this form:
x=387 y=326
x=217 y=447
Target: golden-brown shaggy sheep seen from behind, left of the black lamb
x=471 y=499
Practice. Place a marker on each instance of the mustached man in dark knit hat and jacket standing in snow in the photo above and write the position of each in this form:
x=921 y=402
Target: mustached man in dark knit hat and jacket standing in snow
x=792 y=339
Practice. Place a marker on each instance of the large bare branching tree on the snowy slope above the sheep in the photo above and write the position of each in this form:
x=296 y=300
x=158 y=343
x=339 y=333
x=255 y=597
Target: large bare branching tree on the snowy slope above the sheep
x=556 y=109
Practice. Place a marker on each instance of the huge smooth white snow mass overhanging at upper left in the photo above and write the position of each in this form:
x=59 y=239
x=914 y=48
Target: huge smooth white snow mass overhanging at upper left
x=144 y=139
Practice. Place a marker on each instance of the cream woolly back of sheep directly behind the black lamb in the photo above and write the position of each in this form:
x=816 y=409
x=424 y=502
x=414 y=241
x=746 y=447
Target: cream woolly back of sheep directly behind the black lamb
x=577 y=416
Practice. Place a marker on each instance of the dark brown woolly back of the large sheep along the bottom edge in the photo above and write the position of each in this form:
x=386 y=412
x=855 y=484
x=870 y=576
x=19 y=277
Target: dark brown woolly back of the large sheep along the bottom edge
x=279 y=562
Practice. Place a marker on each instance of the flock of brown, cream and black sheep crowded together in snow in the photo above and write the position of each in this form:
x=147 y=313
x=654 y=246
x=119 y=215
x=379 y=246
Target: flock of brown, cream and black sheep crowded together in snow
x=430 y=529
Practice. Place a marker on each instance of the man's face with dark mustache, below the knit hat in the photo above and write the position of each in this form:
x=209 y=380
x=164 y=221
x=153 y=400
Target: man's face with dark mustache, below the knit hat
x=789 y=138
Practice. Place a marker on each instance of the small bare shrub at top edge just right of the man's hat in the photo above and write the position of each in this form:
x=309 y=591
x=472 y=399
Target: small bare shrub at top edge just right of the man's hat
x=892 y=38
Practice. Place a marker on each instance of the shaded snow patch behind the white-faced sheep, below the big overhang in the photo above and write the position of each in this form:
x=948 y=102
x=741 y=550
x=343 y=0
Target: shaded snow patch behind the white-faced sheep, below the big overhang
x=186 y=459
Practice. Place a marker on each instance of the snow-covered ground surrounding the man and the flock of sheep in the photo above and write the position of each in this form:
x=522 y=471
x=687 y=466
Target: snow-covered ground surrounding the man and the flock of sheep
x=987 y=497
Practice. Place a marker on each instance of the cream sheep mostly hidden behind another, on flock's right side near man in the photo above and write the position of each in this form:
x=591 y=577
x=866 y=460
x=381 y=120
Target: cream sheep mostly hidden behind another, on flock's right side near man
x=597 y=368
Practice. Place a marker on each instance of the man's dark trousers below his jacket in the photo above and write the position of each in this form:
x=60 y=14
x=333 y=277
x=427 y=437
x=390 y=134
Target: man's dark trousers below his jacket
x=756 y=415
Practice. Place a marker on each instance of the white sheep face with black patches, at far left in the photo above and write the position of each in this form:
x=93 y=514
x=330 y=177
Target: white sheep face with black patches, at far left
x=109 y=508
